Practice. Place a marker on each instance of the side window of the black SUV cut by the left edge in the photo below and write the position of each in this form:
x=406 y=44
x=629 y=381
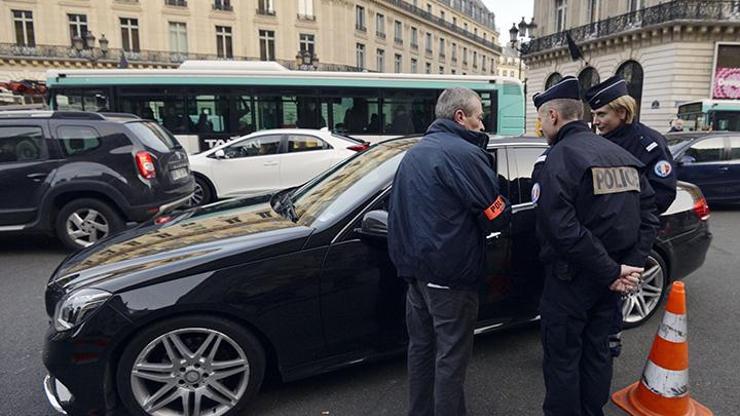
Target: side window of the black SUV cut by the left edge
x=21 y=144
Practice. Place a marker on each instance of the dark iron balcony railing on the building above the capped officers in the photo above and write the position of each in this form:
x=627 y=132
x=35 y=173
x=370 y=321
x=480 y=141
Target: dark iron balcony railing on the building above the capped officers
x=678 y=10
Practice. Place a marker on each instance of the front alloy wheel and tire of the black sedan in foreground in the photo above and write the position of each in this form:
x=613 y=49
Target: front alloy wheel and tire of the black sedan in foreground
x=190 y=356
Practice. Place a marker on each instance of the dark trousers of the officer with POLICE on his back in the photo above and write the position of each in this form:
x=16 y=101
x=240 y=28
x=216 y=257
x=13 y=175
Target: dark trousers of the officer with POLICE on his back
x=577 y=362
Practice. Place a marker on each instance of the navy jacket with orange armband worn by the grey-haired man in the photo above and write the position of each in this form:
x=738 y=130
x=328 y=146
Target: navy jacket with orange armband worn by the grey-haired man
x=444 y=201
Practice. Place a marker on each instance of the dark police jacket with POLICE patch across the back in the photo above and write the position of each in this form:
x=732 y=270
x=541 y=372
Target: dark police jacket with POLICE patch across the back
x=595 y=207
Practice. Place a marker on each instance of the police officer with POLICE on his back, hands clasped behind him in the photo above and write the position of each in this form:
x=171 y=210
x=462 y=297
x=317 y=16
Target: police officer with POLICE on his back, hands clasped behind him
x=595 y=216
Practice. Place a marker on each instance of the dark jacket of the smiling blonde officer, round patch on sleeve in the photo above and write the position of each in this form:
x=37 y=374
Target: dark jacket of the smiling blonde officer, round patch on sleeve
x=650 y=147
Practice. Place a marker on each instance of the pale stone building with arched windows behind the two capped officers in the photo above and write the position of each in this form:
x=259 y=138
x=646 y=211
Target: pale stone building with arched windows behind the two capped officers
x=666 y=50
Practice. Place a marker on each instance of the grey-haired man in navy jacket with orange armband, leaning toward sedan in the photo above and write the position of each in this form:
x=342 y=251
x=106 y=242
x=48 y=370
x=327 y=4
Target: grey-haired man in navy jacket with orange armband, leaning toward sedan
x=445 y=201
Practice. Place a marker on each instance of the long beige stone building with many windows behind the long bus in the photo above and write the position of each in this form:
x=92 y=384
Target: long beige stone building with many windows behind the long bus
x=435 y=36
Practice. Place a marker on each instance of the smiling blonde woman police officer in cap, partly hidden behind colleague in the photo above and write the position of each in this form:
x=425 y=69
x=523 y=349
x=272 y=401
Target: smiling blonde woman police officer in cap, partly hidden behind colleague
x=614 y=112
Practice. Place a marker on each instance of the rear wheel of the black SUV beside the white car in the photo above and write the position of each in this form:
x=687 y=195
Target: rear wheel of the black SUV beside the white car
x=82 y=222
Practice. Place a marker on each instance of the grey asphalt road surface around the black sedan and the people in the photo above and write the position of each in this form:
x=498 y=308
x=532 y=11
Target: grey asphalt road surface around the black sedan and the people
x=504 y=378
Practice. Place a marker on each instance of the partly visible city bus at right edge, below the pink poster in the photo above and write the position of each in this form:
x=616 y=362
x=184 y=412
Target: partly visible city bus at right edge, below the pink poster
x=714 y=115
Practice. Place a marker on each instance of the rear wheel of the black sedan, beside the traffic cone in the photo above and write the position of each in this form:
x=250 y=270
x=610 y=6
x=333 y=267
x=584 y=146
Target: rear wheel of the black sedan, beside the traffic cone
x=641 y=306
